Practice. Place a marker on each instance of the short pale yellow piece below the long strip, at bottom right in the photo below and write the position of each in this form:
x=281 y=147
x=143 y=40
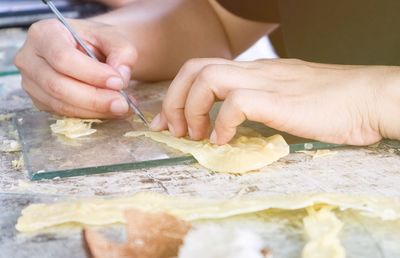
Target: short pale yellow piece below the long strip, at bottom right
x=322 y=230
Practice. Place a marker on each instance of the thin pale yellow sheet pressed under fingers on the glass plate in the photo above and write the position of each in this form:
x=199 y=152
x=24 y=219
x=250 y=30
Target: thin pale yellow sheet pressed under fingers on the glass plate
x=246 y=152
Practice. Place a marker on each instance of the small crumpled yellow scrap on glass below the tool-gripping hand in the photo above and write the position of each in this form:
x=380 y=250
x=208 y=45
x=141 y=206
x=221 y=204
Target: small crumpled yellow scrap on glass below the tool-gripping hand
x=74 y=127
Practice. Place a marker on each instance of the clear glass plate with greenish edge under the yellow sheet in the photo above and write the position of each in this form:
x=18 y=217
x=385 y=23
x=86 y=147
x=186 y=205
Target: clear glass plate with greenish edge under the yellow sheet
x=48 y=155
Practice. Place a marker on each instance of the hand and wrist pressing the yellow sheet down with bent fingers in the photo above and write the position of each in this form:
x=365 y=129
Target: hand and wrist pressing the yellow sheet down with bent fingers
x=331 y=103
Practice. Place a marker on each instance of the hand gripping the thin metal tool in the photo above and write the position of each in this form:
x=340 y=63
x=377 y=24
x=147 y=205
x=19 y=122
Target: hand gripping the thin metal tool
x=61 y=78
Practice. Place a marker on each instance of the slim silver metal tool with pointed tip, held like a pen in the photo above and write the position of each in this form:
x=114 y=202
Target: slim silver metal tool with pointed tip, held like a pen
x=61 y=18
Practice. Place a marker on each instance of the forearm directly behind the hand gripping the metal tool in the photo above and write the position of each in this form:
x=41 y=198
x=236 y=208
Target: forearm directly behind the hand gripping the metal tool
x=167 y=33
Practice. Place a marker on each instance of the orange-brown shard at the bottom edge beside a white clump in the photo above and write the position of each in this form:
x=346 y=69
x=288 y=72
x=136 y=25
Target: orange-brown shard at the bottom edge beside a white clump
x=149 y=235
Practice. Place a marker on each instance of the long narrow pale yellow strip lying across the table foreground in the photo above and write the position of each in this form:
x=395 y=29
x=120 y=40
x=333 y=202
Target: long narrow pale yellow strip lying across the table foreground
x=97 y=211
